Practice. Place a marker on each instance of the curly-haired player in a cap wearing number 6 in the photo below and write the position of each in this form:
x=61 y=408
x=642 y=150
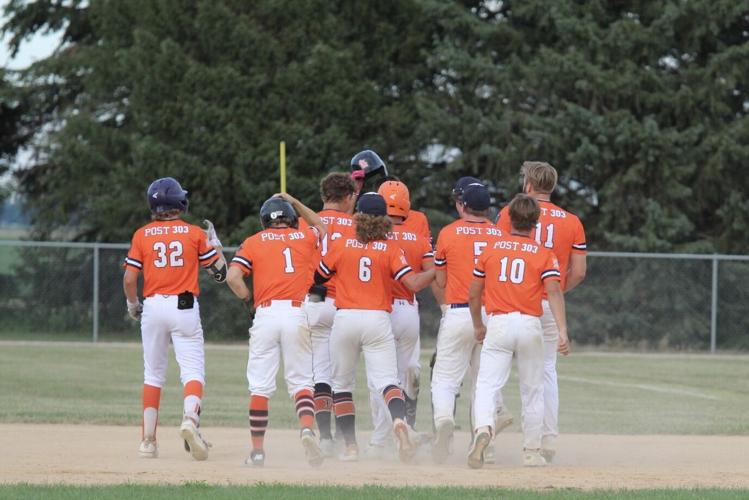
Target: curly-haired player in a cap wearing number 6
x=364 y=266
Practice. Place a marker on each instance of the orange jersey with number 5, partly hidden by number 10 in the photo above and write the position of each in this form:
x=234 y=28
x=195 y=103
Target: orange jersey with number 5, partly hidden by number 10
x=458 y=246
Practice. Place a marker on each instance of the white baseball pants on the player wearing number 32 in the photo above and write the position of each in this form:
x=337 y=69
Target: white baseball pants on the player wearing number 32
x=161 y=321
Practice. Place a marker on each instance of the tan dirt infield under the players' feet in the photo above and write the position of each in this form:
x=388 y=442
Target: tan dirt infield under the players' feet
x=84 y=454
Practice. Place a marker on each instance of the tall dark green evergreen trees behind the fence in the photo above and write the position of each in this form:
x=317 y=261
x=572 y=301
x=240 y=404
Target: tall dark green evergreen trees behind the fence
x=641 y=106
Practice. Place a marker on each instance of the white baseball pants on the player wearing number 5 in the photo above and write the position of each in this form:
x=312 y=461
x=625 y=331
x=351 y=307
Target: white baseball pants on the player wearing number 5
x=457 y=350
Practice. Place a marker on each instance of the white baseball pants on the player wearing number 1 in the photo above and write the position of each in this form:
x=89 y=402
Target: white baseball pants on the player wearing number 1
x=279 y=330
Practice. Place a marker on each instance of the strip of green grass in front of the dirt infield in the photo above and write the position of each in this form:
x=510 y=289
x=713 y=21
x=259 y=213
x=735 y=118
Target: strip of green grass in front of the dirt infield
x=284 y=492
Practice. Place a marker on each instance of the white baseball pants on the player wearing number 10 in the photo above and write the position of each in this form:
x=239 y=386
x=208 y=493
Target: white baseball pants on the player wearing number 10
x=509 y=334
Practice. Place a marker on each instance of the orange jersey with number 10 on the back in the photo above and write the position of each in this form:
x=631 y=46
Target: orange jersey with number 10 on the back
x=514 y=270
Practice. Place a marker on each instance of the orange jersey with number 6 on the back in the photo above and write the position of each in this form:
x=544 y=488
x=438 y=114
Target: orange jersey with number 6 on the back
x=364 y=272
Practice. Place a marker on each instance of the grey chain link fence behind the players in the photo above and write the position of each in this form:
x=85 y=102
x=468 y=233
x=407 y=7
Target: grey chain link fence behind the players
x=64 y=291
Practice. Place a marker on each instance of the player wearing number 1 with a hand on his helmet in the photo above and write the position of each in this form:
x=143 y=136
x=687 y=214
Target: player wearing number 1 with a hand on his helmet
x=279 y=258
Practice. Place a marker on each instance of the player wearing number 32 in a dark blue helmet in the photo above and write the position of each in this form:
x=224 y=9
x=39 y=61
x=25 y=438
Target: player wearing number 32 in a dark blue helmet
x=168 y=252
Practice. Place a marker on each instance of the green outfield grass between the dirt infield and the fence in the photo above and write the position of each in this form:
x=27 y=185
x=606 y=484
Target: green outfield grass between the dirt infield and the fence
x=600 y=393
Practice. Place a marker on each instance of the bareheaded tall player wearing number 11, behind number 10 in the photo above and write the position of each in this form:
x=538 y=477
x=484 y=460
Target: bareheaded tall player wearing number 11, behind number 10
x=563 y=233
